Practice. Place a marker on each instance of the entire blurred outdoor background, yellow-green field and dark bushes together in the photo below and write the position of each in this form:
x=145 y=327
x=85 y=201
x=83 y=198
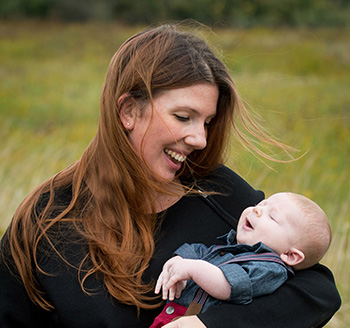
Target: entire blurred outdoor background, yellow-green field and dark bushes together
x=290 y=62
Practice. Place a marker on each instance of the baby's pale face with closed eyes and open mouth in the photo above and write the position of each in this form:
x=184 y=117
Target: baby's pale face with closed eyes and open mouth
x=274 y=221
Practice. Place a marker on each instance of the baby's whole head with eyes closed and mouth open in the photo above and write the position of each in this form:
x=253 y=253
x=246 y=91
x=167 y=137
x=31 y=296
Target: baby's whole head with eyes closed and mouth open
x=292 y=225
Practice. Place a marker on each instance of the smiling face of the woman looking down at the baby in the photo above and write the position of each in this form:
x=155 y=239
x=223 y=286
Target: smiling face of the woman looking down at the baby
x=177 y=126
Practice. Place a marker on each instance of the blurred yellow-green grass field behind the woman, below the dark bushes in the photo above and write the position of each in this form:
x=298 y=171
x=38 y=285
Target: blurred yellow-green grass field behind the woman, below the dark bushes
x=296 y=81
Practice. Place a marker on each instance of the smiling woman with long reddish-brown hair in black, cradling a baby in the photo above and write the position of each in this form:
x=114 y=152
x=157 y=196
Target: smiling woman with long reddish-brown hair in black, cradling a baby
x=85 y=247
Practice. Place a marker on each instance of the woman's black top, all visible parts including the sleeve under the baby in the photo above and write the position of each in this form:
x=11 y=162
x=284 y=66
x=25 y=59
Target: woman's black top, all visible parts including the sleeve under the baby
x=308 y=300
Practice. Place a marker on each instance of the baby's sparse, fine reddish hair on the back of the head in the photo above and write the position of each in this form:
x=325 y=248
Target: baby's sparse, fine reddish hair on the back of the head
x=316 y=233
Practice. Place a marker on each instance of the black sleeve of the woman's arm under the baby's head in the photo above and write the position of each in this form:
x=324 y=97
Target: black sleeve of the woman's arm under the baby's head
x=308 y=300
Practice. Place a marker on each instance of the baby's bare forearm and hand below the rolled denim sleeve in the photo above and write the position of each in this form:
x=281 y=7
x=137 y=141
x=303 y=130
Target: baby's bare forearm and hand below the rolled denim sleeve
x=177 y=271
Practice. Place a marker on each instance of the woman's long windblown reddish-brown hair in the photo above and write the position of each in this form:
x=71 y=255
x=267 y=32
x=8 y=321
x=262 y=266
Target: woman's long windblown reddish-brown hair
x=111 y=198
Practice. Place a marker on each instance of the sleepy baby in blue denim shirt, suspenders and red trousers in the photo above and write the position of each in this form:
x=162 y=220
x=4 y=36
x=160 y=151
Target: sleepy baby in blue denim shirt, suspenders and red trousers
x=284 y=232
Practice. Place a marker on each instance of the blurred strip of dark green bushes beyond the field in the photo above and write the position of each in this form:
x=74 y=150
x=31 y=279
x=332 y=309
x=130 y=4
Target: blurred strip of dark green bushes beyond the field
x=243 y=13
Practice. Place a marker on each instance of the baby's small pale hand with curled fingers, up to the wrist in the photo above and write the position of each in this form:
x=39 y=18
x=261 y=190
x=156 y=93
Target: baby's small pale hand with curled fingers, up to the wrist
x=173 y=278
